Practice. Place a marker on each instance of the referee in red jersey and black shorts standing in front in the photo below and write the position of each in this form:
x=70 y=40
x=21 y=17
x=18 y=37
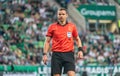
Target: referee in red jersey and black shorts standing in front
x=62 y=34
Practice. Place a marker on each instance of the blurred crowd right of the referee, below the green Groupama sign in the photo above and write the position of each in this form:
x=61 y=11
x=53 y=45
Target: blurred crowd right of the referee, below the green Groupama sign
x=100 y=49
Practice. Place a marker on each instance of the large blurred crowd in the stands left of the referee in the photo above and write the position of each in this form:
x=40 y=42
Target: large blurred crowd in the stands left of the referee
x=23 y=24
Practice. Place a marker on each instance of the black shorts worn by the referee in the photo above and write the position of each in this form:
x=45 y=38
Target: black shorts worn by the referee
x=65 y=60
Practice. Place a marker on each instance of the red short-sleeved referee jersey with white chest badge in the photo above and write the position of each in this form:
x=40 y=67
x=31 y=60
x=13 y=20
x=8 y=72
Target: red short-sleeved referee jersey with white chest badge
x=62 y=36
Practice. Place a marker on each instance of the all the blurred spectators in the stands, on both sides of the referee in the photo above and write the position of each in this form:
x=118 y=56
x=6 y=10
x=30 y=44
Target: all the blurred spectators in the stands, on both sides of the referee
x=23 y=25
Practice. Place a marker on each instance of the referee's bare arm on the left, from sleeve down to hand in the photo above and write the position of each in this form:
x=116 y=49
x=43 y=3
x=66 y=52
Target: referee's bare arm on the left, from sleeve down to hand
x=46 y=48
